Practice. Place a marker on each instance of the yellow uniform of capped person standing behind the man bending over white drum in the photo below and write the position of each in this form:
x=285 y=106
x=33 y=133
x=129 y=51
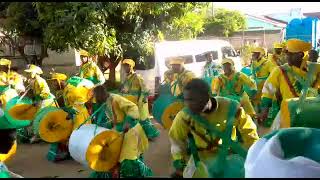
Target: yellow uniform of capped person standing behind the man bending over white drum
x=137 y=85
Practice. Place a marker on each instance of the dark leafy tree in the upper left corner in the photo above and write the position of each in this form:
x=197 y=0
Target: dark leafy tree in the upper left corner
x=19 y=22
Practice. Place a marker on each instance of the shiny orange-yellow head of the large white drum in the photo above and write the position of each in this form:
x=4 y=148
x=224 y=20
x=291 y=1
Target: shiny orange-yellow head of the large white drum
x=104 y=151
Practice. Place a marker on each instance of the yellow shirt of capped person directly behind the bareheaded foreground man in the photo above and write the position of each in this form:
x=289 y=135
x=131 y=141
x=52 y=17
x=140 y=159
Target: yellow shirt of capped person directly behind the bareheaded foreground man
x=183 y=77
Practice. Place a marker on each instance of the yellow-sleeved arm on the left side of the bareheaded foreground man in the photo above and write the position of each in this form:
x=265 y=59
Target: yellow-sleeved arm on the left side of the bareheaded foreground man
x=178 y=135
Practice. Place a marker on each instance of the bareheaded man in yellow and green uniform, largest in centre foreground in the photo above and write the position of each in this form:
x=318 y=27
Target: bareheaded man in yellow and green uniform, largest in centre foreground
x=203 y=132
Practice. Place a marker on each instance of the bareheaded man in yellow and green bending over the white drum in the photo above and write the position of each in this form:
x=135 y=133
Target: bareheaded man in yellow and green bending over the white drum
x=122 y=115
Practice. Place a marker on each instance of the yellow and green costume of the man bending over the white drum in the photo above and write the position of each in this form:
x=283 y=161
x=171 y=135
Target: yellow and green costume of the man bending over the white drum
x=120 y=111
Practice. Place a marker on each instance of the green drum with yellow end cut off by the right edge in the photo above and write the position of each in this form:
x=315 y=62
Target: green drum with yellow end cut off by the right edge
x=293 y=114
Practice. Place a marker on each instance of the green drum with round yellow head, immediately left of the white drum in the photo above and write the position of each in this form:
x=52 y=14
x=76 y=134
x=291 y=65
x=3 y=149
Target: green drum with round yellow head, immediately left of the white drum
x=51 y=125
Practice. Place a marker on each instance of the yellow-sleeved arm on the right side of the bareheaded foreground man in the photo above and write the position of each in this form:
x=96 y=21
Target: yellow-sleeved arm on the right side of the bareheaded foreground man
x=246 y=127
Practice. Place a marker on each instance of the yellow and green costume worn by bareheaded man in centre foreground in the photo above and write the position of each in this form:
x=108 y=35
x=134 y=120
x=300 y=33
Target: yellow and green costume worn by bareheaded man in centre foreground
x=189 y=132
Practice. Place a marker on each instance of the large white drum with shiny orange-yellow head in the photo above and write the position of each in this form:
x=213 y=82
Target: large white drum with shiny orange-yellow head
x=96 y=147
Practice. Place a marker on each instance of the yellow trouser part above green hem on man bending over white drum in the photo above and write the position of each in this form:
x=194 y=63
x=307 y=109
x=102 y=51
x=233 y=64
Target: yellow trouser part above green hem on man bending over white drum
x=135 y=143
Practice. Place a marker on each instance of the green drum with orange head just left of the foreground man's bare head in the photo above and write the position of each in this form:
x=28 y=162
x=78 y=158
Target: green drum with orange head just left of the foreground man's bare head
x=165 y=109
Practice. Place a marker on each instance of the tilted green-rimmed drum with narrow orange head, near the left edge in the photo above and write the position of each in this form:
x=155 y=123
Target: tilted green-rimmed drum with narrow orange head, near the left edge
x=20 y=111
